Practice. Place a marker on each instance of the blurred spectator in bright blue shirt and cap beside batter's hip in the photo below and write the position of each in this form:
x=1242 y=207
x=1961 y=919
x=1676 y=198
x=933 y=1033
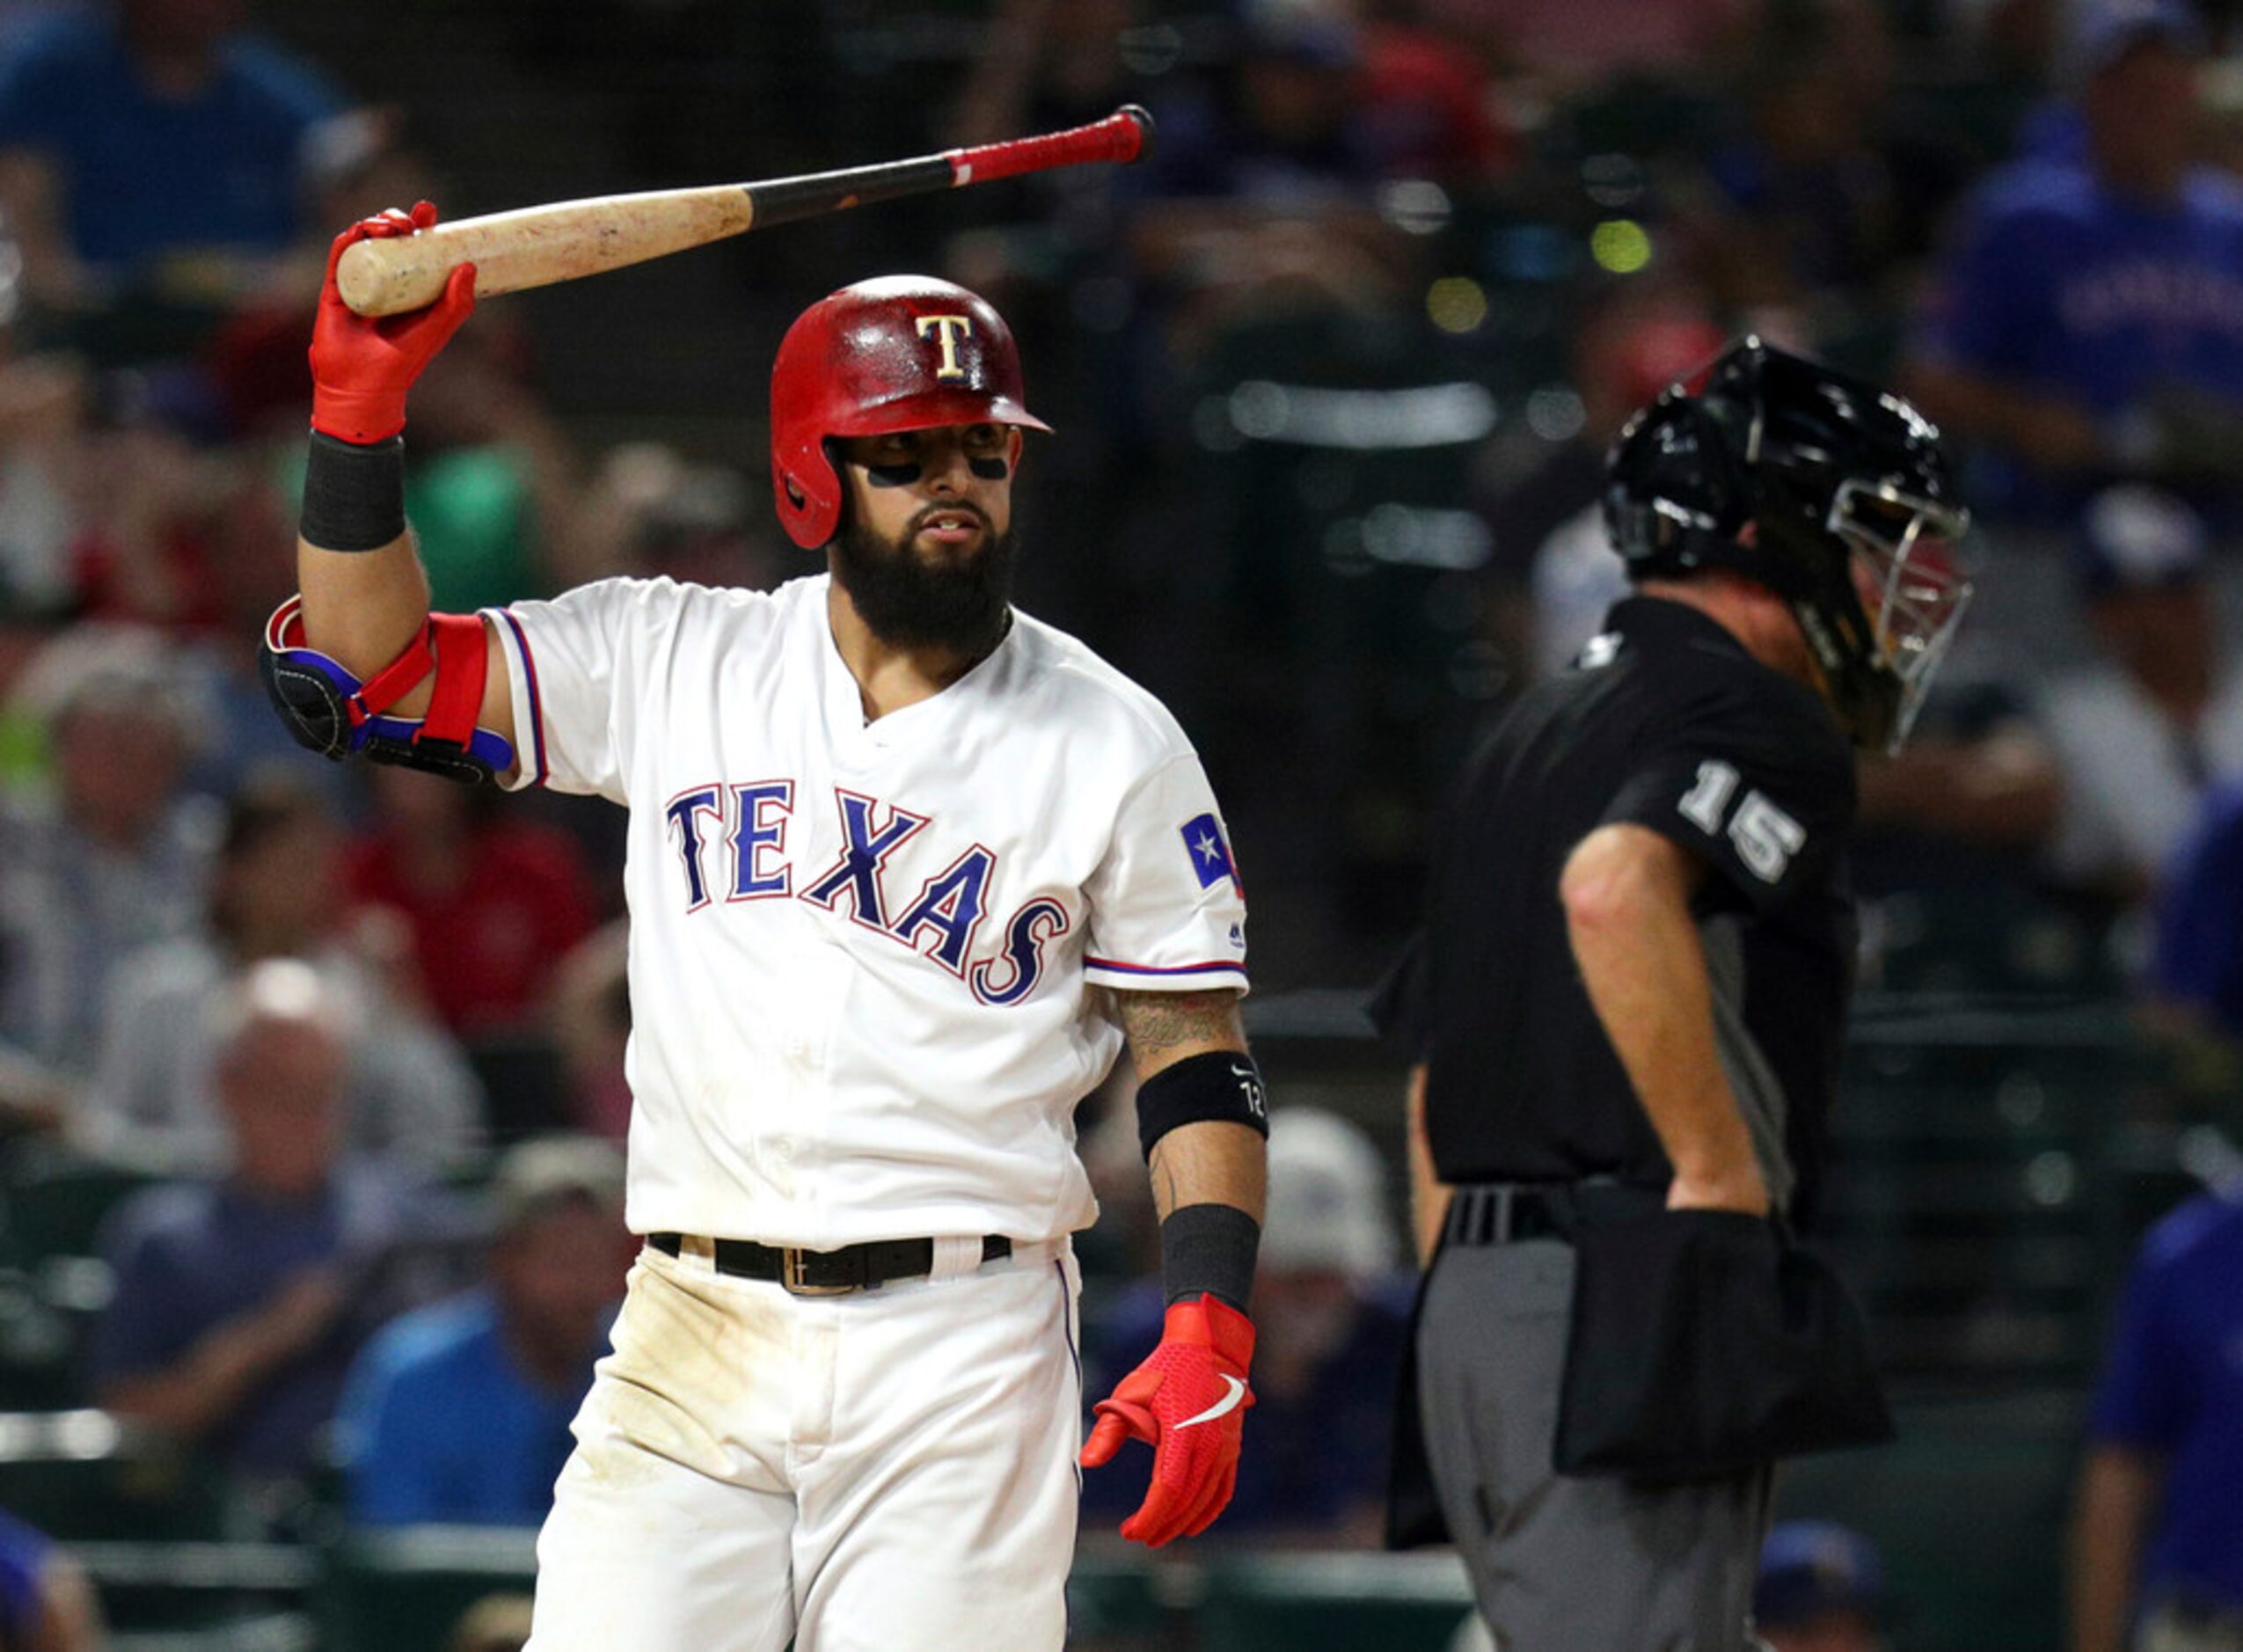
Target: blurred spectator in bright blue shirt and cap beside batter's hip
x=461 y=1413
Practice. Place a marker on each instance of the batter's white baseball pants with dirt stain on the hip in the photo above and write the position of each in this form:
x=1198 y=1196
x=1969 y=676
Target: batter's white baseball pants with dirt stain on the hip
x=889 y=1471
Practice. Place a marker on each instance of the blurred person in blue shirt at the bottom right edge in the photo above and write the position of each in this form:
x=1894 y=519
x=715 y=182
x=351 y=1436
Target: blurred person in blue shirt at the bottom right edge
x=2159 y=1536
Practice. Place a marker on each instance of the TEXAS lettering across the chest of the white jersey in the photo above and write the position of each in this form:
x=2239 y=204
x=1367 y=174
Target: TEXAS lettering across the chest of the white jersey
x=748 y=825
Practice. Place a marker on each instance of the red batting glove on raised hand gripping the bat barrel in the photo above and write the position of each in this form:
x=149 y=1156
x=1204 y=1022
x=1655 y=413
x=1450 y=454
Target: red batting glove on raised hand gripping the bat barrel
x=364 y=367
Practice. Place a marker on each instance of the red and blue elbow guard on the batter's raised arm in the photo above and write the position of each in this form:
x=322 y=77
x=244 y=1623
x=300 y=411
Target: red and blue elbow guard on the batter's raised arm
x=331 y=713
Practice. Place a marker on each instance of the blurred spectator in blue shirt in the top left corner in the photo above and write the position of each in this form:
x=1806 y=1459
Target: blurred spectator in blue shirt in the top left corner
x=154 y=131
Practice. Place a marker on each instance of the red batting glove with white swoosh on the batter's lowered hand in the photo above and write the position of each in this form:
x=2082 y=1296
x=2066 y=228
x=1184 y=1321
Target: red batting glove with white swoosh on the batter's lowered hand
x=1190 y=1404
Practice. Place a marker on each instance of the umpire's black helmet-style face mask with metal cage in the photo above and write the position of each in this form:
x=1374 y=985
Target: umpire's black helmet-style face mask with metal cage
x=1822 y=488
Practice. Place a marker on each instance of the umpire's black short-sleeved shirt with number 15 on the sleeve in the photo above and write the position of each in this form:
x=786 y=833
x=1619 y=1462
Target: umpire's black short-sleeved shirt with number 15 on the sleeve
x=1665 y=722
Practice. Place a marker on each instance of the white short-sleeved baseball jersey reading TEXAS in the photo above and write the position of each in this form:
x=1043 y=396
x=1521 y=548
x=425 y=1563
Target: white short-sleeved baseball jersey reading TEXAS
x=860 y=951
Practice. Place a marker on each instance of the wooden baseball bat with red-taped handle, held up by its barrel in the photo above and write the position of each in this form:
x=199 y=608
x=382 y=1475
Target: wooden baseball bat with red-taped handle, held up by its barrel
x=537 y=246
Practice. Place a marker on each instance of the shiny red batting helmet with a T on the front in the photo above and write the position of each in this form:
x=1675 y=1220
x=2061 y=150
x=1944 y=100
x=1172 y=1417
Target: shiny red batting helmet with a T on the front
x=901 y=354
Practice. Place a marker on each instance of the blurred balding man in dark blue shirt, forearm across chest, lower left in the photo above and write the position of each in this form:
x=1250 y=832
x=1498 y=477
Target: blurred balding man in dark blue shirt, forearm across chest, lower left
x=241 y=1301
